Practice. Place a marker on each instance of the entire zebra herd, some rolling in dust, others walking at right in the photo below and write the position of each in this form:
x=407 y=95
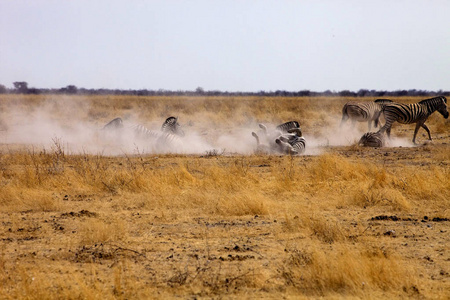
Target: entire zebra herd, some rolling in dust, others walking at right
x=287 y=138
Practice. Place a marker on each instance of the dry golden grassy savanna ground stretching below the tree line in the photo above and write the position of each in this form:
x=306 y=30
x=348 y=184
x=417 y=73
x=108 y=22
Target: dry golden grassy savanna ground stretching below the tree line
x=340 y=222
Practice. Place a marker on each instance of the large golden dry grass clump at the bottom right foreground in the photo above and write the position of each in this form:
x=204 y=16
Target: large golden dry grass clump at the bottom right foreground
x=346 y=271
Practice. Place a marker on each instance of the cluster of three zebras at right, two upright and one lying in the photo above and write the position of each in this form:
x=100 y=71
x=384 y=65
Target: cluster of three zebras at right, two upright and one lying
x=402 y=113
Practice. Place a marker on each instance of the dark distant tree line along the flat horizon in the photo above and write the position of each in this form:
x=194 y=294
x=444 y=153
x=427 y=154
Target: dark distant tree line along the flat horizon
x=21 y=87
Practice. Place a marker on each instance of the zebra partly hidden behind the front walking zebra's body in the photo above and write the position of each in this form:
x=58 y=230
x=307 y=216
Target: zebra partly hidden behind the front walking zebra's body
x=364 y=112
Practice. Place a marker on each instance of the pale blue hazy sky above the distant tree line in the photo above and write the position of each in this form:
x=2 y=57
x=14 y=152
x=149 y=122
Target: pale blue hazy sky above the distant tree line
x=226 y=45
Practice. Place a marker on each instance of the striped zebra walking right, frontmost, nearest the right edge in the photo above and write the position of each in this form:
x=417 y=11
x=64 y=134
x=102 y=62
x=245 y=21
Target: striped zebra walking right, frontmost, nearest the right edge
x=413 y=113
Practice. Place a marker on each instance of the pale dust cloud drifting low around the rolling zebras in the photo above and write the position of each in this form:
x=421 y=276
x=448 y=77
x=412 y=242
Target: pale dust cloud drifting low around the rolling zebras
x=52 y=125
